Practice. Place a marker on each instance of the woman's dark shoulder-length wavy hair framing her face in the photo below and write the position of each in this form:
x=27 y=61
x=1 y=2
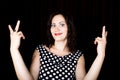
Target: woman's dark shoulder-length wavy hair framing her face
x=71 y=36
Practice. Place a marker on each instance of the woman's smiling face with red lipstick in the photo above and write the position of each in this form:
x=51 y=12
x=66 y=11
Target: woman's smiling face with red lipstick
x=59 y=28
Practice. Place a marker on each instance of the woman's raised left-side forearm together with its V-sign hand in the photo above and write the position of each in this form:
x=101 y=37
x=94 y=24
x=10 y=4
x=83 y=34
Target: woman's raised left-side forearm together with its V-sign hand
x=20 y=68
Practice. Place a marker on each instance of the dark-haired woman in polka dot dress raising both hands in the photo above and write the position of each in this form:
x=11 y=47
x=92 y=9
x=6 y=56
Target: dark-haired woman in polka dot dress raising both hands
x=58 y=59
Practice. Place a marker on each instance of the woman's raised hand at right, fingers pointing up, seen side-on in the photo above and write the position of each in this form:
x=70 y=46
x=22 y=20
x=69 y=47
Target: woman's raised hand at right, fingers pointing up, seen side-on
x=101 y=42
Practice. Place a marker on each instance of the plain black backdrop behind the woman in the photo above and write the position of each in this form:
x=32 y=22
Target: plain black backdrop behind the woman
x=89 y=17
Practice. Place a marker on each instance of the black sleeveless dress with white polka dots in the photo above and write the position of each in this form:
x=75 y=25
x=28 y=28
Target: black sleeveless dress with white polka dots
x=55 y=67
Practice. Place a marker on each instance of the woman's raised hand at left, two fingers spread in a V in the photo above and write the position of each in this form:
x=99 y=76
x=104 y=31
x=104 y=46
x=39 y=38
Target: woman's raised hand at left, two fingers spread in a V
x=15 y=36
